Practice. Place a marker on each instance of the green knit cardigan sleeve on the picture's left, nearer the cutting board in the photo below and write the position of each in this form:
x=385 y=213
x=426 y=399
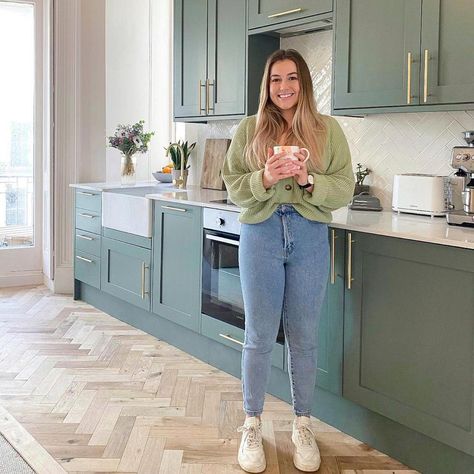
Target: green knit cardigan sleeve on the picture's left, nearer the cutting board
x=245 y=187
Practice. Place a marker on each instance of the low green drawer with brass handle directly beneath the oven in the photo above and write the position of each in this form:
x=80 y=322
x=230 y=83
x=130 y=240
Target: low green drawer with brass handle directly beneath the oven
x=233 y=337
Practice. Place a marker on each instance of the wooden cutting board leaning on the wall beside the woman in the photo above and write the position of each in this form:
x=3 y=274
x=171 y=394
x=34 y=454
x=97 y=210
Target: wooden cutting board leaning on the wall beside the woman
x=214 y=154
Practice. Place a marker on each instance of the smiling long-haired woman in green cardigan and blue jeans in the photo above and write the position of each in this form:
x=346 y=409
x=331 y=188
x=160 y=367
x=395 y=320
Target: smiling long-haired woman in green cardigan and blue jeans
x=283 y=254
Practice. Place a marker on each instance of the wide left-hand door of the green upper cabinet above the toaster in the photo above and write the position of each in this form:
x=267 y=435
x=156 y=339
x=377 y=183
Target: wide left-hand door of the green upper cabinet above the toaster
x=373 y=40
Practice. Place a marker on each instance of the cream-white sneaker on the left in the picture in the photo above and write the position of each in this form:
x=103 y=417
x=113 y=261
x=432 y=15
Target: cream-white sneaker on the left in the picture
x=251 y=455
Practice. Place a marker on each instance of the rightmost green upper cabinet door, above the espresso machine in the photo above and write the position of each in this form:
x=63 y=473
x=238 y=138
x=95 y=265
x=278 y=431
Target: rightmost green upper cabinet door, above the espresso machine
x=448 y=39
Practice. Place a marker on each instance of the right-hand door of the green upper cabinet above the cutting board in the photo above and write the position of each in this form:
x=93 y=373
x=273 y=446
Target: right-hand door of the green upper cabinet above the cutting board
x=227 y=45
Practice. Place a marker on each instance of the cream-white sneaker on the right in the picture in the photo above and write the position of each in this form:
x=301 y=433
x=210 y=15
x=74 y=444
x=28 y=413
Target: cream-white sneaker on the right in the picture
x=306 y=457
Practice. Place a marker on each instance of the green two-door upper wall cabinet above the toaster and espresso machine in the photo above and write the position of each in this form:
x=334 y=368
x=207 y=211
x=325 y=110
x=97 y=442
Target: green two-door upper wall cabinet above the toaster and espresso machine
x=404 y=55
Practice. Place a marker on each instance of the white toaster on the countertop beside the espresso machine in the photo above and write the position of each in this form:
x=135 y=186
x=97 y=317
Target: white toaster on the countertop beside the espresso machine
x=425 y=194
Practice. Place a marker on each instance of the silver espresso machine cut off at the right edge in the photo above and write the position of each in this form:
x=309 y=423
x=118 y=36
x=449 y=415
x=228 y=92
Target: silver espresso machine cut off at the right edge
x=463 y=161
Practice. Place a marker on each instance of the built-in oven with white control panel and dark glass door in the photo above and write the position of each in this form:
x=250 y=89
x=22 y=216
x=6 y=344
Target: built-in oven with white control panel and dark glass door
x=221 y=290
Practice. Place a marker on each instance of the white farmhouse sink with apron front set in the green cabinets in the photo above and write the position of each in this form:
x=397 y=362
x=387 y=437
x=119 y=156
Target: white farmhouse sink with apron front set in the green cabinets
x=128 y=210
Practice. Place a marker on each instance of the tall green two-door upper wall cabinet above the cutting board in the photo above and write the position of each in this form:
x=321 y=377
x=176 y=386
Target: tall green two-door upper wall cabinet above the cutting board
x=209 y=59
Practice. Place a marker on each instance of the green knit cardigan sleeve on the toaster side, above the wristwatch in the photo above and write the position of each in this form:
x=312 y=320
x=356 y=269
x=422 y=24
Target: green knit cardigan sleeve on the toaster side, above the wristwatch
x=334 y=188
